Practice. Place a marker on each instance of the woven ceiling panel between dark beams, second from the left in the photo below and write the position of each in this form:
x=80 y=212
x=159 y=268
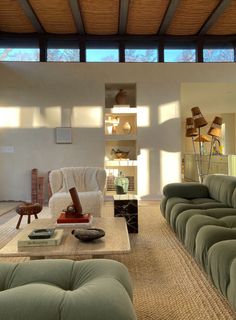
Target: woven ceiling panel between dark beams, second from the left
x=54 y=15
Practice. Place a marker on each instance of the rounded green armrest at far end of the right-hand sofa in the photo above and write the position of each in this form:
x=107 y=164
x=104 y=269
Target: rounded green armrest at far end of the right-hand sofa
x=186 y=190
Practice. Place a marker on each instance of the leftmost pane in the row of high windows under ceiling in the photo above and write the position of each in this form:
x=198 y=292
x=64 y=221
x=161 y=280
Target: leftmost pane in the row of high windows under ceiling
x=19 y=54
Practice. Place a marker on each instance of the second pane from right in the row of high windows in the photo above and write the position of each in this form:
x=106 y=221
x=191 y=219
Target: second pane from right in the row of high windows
x=180 y=55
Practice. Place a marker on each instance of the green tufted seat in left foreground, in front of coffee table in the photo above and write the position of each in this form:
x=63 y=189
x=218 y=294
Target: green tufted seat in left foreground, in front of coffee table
x=65 y=290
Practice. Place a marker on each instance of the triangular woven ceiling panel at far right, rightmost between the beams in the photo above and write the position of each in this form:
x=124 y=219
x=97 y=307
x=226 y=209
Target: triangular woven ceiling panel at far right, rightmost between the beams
x=226 y=23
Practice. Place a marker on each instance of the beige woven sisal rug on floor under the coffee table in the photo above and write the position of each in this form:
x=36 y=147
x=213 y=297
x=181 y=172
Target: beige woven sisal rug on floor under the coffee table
x=167 y=282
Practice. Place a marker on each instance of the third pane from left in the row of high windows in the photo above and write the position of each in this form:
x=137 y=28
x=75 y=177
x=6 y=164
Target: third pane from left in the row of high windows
x=102 y=55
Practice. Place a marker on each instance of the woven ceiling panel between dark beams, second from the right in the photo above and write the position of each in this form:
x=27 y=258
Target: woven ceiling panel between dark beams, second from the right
x=190 y=16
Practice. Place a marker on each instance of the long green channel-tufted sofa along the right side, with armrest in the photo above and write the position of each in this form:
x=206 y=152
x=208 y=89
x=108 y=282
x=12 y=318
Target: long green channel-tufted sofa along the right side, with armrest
x=203 y=216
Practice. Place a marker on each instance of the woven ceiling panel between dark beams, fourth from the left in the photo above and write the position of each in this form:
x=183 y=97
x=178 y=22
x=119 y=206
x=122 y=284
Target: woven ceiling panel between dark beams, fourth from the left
x=145 y=16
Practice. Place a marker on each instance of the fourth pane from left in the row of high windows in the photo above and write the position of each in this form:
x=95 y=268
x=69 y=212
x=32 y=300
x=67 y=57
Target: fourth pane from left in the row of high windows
x=141 y=55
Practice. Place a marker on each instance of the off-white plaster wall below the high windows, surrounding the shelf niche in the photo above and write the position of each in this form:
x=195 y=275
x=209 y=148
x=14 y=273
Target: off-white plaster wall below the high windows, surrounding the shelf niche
x=70 y=85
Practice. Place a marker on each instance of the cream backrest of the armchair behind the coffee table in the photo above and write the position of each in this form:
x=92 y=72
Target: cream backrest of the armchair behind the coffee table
x=83 y=178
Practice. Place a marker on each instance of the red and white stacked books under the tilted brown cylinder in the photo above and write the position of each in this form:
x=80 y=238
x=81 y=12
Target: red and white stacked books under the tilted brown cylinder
x=71 y=221
